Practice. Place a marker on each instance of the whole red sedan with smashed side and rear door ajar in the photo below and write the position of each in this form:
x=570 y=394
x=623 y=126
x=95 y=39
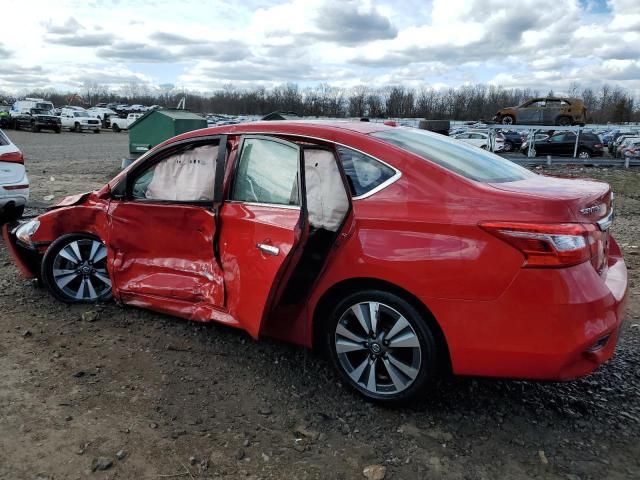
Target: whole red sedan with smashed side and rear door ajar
x=402 y=252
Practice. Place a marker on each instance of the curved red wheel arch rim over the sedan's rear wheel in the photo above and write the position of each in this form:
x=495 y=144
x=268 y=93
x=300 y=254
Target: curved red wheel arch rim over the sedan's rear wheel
x=351 y=285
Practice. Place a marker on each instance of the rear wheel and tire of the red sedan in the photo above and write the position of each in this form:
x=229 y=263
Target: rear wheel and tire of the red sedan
x=389 y=370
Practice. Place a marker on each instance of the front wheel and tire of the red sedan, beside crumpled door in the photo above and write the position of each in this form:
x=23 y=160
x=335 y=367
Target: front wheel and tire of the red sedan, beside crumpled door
x=70 y=273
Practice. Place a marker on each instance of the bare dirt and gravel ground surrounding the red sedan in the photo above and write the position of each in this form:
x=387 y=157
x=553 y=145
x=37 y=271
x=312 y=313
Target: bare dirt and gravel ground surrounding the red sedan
x=149 y=396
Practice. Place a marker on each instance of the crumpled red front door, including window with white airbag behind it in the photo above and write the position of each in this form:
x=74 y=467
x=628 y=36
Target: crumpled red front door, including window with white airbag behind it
x=162 y=232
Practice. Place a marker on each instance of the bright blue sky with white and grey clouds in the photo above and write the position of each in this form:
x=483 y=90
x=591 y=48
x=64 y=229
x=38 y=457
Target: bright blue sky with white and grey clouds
x=205 y=45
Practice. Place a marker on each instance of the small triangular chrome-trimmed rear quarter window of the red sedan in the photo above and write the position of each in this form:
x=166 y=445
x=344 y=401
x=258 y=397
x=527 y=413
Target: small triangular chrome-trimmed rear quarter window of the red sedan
x=363 y=172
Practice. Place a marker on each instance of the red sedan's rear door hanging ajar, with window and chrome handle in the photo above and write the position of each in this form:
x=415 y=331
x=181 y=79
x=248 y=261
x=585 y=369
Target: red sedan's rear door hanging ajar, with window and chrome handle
x=262 y=223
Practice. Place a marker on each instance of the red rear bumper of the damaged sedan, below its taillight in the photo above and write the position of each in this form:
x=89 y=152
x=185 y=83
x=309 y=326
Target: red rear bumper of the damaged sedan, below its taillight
x=549 y=325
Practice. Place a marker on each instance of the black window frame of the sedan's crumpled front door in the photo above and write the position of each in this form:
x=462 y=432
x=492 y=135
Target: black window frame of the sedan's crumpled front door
x=166 y=152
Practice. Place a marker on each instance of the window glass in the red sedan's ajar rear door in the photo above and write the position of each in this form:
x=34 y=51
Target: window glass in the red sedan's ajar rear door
x=267 y=172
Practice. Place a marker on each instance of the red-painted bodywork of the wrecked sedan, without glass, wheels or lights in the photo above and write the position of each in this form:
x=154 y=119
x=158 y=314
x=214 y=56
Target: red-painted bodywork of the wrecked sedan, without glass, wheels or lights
x=420 y=234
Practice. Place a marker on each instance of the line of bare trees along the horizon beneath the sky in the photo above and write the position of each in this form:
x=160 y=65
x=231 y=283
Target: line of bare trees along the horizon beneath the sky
x=476 y=102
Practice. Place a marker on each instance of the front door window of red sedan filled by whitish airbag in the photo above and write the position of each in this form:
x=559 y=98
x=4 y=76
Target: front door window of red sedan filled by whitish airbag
x=187 y=175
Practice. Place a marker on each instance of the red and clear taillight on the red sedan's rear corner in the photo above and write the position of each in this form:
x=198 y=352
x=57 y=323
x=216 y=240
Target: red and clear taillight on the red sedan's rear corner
x=548 y=245
